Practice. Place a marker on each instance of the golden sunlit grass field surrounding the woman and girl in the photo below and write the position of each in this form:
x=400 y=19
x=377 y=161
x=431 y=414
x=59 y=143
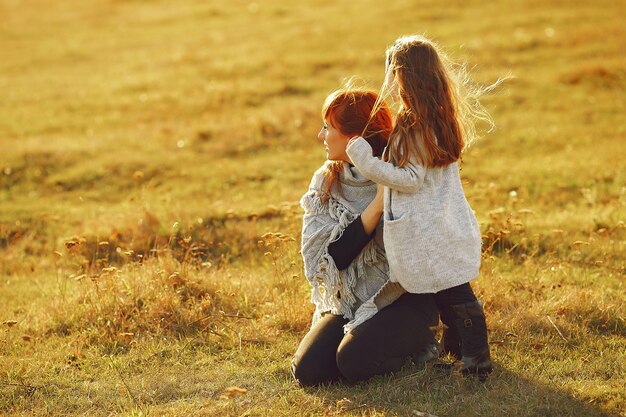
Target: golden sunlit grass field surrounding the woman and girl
x=152 y=157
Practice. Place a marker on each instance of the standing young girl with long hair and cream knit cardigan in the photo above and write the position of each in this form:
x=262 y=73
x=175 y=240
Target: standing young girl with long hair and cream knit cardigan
x=431 y=236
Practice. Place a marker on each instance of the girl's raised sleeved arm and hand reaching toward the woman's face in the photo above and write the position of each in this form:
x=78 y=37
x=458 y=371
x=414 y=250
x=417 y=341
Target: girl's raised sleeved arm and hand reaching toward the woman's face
x=407 y=179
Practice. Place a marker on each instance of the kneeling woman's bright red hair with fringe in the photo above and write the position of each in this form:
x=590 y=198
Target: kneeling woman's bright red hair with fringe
x=351 y=111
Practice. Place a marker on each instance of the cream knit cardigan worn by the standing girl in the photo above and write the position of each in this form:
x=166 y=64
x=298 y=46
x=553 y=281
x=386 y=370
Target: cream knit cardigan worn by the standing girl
x=431 y=235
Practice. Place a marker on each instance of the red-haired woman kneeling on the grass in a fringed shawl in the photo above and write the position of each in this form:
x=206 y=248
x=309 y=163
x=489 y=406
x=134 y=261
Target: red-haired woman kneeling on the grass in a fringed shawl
x=345 y=262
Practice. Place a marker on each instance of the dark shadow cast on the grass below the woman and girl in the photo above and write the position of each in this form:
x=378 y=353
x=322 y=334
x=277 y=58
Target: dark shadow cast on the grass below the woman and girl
x=430 y=391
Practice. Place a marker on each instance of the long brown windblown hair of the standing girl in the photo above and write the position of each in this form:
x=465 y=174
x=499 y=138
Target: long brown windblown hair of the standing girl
x=439 y=105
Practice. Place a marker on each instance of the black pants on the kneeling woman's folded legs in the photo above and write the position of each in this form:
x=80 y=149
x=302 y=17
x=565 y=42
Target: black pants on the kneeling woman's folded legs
x=378 y=346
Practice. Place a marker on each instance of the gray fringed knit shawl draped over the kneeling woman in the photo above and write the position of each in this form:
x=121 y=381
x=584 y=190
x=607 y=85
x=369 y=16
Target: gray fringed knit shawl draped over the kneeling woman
x=333 y=290
